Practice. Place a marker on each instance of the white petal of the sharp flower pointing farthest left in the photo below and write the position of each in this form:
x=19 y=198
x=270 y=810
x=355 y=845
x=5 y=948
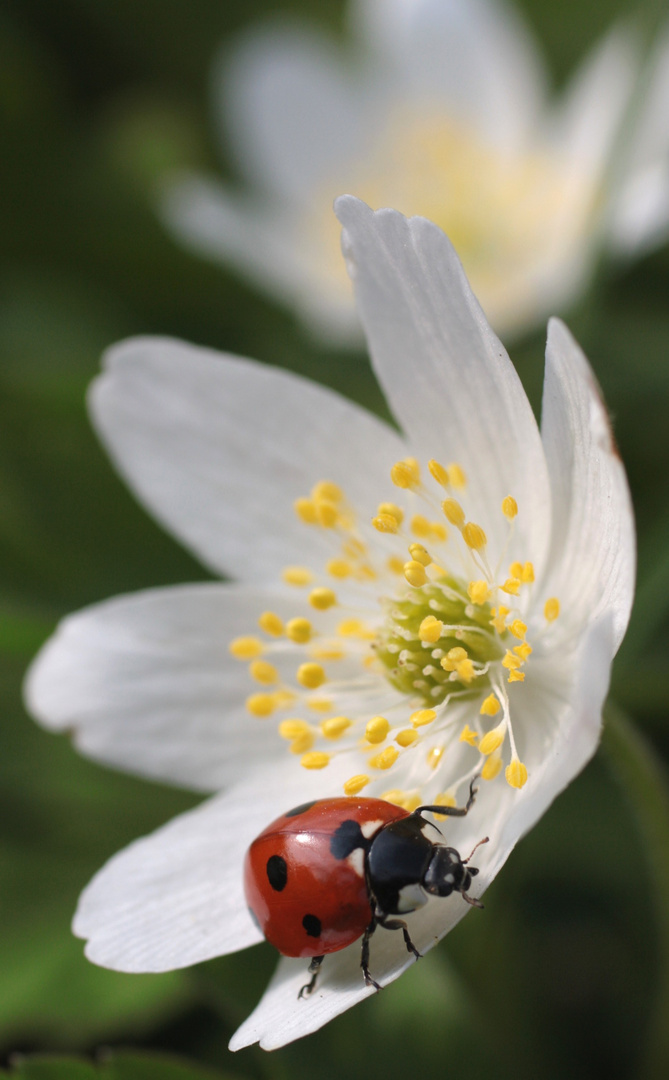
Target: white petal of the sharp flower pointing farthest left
x=146 y=683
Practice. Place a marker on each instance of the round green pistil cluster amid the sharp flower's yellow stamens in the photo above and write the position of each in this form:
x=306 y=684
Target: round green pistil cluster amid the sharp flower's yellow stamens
x=405 y=656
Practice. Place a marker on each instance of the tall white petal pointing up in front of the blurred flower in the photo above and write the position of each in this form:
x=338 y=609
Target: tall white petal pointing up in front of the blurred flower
x=447 y=376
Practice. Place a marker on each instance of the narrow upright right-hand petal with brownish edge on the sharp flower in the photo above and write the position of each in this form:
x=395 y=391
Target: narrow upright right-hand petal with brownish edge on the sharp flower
x=594 y=551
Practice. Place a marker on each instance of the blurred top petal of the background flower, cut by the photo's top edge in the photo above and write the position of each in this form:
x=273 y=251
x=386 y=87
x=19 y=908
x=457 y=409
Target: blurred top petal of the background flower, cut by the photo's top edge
x=474 y=58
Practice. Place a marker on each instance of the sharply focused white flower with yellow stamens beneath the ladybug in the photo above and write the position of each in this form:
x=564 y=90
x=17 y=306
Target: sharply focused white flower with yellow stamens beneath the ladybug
x=498 y=665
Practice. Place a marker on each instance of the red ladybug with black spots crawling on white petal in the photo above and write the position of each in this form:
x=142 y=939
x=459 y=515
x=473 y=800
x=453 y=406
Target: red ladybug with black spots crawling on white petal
x=330 y=872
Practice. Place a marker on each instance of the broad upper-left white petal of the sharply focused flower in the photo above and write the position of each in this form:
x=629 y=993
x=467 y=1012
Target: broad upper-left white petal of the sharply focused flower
x=220 y=448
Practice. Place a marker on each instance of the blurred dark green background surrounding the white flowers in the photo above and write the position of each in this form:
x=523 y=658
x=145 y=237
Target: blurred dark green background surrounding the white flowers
x=568 y=975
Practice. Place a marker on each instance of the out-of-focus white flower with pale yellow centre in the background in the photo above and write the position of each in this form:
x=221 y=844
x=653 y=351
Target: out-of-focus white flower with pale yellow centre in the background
x=440 y=111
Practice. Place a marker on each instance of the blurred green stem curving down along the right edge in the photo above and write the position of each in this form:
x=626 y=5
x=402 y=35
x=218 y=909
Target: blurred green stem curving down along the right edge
x=644 y=778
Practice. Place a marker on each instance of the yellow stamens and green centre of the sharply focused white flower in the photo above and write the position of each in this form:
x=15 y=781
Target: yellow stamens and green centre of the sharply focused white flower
x=397 y=659
